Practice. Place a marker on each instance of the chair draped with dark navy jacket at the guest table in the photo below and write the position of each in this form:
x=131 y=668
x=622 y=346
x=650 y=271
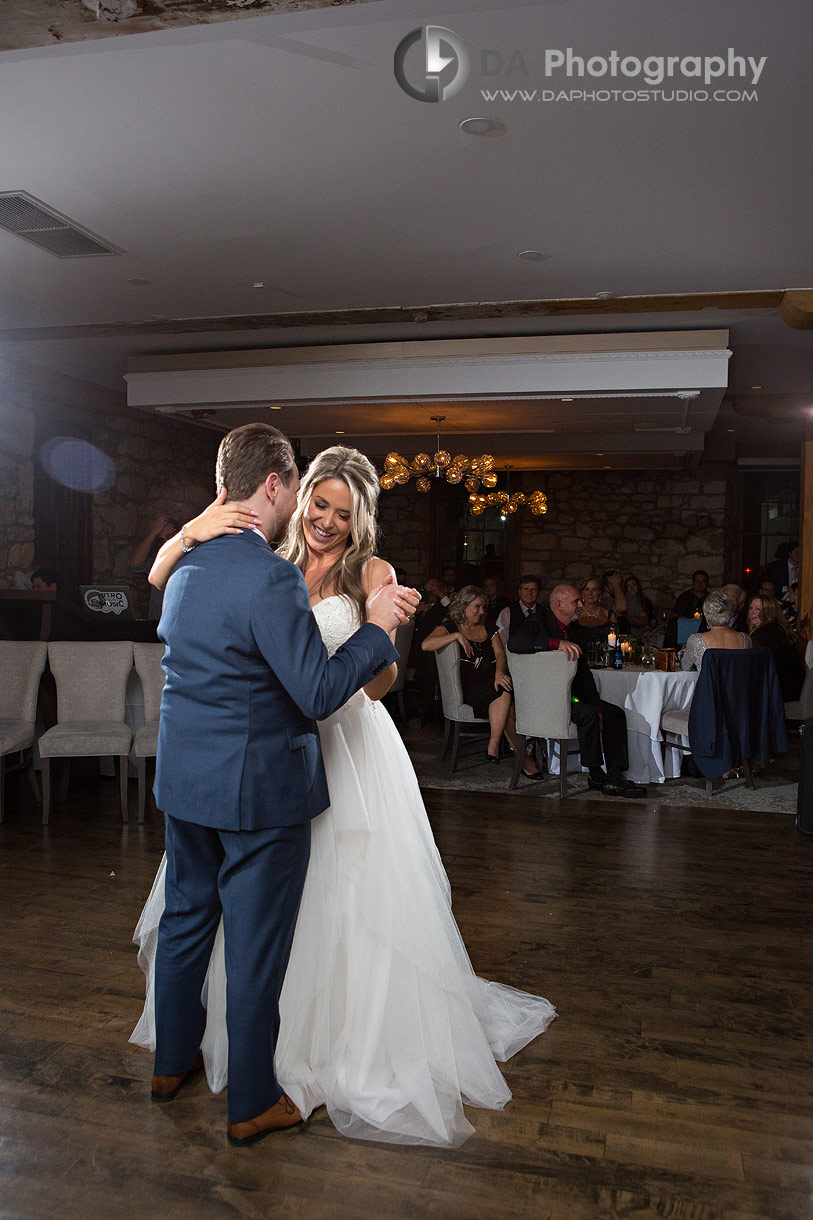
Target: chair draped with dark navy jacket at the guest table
x=737 y=714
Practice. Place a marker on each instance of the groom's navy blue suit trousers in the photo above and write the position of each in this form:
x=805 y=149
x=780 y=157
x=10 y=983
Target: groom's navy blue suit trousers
x=255 y=879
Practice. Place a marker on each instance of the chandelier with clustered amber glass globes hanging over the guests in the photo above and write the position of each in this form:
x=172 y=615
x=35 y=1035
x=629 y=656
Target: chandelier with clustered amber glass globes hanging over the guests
x=477 y=474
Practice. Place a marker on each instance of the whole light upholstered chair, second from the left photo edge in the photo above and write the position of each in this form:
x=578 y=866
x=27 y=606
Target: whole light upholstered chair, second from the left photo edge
x=91 y=684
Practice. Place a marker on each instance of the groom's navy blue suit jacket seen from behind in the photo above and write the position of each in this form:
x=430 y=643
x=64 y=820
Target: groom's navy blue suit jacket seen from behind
x=247 y=675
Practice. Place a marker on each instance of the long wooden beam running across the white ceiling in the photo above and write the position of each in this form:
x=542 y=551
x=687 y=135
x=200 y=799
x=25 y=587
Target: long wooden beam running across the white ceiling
x=584 y=307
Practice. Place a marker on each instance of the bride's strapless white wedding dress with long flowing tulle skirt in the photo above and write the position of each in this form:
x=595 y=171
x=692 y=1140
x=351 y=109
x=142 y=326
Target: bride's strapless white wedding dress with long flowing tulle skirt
x=384 y=1019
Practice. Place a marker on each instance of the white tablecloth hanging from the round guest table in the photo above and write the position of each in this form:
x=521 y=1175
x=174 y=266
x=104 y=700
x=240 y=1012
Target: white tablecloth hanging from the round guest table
x=645 y=696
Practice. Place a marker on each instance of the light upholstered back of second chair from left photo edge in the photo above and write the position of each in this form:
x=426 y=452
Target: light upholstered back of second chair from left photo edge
x=91 y=679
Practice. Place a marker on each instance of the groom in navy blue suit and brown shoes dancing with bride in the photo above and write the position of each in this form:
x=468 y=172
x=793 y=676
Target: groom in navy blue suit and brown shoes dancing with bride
x=240 y=775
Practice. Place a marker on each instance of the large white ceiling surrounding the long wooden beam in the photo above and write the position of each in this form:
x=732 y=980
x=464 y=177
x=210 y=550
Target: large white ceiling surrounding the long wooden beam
x=281 y=149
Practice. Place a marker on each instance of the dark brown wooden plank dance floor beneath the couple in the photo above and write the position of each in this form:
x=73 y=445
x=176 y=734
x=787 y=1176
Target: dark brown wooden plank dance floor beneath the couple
x=676 y=1083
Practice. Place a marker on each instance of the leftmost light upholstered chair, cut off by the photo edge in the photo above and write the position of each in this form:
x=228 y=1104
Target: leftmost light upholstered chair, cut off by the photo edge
x=21 y=668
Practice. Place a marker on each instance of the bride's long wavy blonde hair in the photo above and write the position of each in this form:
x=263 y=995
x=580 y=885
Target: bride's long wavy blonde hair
x=360 y=476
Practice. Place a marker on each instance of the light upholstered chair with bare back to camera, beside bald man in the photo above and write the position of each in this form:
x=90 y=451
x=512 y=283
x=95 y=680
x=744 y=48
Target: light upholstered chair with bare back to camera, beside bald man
x=543 y=684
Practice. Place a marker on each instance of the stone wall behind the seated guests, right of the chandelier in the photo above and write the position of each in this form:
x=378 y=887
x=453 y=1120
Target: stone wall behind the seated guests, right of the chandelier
x=659 y=525
